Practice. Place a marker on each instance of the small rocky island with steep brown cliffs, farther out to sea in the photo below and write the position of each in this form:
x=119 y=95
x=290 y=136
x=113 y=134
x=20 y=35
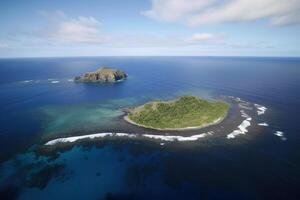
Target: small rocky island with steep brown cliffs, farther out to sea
x=103 y=74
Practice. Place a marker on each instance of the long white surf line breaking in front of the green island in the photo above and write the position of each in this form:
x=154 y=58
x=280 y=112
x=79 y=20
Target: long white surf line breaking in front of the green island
x=102 y=135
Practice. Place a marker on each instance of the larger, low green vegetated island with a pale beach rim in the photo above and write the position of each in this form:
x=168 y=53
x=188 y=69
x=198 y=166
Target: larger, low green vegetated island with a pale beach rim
x=186 y=112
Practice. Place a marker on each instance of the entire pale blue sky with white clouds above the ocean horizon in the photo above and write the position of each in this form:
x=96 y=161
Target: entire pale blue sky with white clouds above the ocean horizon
x=53 y=28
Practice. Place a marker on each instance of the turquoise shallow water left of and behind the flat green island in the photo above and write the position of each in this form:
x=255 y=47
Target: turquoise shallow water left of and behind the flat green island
x=89 y=118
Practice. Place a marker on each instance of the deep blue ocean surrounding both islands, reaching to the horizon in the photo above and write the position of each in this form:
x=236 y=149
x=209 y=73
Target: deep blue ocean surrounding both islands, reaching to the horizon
x=39 y=101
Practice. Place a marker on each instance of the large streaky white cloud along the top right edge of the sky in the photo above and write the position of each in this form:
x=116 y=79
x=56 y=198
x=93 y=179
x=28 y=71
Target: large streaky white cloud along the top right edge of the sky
x=199 y=12
